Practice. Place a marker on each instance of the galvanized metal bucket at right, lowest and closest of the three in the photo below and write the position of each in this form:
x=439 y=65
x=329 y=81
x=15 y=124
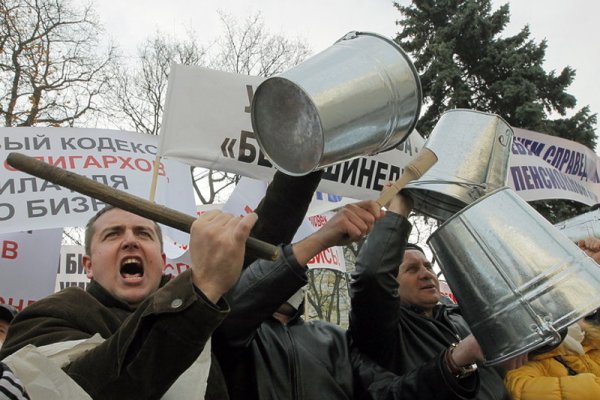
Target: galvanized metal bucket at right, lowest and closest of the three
x=518 y=279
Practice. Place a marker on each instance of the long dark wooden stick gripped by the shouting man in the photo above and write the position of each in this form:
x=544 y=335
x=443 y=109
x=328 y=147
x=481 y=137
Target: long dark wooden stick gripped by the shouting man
x=124 y=200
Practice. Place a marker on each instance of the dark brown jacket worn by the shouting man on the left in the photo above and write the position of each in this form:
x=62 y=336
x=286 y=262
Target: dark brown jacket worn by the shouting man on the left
x=145 y=350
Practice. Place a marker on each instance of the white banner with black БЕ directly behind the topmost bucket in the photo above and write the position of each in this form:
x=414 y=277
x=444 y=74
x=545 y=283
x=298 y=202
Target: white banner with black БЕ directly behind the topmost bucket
x=207 y=124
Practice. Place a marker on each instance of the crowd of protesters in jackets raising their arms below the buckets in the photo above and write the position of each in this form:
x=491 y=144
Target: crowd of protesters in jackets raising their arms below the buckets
x=231 y=327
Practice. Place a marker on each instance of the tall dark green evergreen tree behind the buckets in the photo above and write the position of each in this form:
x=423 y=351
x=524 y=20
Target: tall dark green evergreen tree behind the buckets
x=464 y=62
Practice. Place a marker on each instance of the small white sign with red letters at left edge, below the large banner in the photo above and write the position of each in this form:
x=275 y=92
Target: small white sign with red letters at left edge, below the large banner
x=28 y=262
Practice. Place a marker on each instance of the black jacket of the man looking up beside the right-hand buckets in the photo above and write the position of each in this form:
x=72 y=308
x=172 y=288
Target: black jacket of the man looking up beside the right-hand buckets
x=397 y=337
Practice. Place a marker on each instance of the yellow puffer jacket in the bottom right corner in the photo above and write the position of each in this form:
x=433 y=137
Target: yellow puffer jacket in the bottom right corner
x=545 y=378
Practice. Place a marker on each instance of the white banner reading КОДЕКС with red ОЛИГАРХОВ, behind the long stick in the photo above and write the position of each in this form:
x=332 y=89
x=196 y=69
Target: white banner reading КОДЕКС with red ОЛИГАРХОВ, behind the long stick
x=122 y=160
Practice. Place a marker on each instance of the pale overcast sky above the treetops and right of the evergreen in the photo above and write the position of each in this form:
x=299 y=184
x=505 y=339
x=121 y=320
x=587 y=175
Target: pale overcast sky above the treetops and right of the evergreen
x=571 y=27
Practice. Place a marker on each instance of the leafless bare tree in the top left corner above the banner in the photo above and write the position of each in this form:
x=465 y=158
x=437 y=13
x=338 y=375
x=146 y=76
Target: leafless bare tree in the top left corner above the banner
x=51 y=69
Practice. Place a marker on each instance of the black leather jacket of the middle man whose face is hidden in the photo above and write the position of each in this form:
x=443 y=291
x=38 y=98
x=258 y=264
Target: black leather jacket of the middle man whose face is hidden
x=265 y=359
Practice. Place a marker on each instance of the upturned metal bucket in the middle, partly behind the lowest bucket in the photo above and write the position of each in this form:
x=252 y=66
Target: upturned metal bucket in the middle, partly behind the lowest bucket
x=473 y=148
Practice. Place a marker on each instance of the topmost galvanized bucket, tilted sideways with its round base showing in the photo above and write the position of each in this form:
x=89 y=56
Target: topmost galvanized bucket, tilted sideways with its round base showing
x=359 y=97
